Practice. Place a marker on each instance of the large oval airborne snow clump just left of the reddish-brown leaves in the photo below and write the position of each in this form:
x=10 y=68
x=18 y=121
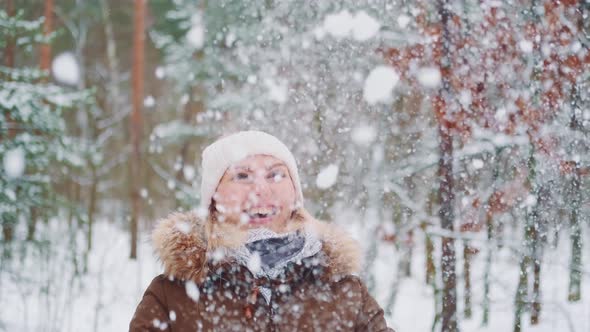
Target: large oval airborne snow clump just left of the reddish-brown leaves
x=379 y=84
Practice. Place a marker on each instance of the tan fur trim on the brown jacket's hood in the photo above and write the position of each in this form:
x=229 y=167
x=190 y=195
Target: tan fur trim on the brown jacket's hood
x=187 y=243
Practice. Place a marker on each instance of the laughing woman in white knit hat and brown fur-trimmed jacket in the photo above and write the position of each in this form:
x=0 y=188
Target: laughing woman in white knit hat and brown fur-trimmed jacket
x=257 y=261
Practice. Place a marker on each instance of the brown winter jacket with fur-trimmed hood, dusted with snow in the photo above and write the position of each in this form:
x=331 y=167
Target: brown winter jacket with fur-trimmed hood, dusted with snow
x=203 y=291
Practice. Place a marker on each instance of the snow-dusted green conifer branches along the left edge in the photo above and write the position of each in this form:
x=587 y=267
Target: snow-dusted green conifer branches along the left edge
x=34 y=144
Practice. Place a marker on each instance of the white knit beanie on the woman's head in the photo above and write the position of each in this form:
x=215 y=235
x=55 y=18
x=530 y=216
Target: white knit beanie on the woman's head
x=221 y=154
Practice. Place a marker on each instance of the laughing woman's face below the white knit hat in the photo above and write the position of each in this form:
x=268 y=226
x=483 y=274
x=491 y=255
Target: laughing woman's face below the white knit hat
x=256 y=192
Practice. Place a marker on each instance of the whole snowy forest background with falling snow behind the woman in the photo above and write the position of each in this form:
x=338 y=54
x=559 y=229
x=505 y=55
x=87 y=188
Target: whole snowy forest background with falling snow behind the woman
x=450 y=137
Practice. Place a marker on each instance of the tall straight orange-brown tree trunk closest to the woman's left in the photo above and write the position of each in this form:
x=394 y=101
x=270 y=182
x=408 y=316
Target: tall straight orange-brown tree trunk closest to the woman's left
x=135 y=121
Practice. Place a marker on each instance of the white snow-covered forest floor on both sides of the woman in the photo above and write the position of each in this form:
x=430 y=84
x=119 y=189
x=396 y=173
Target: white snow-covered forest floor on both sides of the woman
x=105 y=298
